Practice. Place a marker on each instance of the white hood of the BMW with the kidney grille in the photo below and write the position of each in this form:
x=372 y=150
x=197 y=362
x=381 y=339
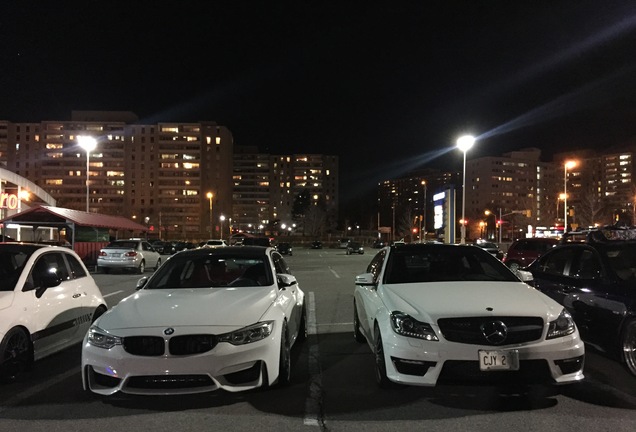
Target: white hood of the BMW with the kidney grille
x=233 y=307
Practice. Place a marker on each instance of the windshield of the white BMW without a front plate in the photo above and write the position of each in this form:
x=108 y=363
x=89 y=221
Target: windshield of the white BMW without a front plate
x=212 y=270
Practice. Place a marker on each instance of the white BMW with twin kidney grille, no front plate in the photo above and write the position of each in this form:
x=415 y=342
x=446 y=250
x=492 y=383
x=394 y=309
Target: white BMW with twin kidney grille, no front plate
x=210 y=318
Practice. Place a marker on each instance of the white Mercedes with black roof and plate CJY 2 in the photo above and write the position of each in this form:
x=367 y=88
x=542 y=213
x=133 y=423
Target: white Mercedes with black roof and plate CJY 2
x=432 y=311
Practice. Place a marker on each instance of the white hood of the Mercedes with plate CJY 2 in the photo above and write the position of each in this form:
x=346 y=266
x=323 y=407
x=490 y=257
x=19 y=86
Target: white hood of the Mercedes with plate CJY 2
x=431 y=301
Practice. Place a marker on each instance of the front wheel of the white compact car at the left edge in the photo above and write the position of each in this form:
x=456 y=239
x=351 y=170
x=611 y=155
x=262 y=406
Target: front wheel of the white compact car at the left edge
x=16 y=354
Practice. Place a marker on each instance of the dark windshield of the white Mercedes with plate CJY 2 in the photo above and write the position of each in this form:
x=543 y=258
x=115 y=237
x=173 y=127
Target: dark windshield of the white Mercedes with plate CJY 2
x=435 y=263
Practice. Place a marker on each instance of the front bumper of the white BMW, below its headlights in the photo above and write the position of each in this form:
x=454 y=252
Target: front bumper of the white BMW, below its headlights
x=228 y=367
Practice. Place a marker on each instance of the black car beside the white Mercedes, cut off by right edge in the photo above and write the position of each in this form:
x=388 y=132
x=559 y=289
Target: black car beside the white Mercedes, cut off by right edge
x=593 y=274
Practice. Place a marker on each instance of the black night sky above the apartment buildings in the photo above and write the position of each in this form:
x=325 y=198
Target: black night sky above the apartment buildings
x=387 y=86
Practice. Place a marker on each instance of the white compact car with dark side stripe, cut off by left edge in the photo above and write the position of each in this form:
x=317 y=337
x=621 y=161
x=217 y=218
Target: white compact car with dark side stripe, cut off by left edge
x=48 y=300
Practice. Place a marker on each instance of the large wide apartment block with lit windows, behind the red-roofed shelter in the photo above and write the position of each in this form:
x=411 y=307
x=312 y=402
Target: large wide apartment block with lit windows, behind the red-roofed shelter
x=156 y=174
